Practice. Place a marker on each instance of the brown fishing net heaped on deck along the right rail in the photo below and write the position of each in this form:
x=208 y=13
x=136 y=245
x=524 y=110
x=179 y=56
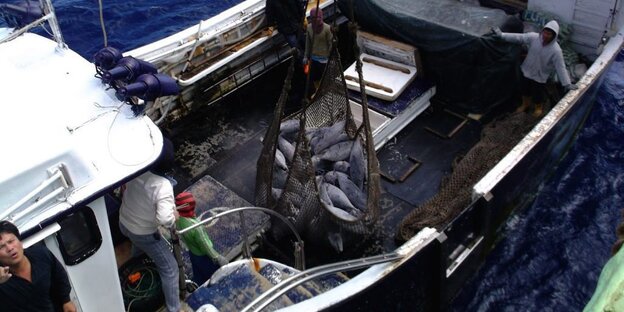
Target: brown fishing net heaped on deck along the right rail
x=497 y=139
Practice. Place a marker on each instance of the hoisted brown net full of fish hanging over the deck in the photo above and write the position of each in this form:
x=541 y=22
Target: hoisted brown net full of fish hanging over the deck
x=318 y=168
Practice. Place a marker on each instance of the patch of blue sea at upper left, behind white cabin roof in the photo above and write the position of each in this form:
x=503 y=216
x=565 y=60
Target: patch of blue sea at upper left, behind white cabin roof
x=129 y=24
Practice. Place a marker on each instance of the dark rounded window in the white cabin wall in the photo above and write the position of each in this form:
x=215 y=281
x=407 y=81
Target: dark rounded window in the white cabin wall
x=79 y=236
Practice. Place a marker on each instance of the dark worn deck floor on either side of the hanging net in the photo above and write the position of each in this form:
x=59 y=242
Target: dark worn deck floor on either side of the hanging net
x=224 y=142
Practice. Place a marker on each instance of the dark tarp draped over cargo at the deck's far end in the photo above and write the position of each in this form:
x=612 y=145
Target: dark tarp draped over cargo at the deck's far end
x=471 y=70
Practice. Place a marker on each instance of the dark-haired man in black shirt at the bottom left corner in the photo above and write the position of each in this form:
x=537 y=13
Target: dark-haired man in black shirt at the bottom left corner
x=31 y=279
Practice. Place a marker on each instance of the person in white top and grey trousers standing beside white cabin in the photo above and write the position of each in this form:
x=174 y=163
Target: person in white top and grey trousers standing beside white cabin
x=147 y=203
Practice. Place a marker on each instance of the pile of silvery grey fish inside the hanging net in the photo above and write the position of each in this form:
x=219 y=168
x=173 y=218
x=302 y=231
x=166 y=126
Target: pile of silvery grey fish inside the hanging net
x=339 y=163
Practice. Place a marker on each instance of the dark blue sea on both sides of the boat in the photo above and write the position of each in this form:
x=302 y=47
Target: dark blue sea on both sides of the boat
x=552 y=253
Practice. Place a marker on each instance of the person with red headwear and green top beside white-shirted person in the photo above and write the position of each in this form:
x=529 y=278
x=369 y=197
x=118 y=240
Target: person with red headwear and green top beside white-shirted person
x=204 y=258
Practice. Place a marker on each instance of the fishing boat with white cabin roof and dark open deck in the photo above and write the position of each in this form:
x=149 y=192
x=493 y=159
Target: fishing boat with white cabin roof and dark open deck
x=97 y=133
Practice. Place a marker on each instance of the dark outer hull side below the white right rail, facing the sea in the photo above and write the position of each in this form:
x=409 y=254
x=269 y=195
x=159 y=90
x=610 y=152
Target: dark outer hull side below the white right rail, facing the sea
x=432 y=277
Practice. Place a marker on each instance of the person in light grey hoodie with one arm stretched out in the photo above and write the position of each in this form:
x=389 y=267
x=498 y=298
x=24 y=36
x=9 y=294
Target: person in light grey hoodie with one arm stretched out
x=544 y=57
